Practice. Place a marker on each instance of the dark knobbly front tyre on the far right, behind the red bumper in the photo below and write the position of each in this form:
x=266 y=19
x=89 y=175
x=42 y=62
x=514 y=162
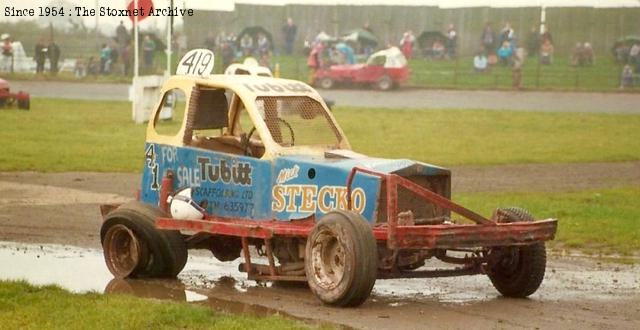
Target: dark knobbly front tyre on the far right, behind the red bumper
x=520 y=270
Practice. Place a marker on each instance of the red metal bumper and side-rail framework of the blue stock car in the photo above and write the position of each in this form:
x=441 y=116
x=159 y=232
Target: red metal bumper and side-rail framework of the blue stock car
x=484 y=233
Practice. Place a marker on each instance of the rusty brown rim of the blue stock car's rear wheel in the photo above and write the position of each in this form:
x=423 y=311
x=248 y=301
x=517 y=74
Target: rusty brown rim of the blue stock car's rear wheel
x=122 y=250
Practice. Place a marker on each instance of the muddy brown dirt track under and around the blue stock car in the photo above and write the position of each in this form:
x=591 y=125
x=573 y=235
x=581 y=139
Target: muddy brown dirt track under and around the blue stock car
x=62 y=208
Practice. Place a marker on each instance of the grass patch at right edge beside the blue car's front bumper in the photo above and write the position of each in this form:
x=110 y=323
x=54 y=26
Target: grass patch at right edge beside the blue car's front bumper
x=596 y=221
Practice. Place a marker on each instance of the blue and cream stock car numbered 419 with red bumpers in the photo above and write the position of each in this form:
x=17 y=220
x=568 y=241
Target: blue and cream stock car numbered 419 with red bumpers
x=260 y=162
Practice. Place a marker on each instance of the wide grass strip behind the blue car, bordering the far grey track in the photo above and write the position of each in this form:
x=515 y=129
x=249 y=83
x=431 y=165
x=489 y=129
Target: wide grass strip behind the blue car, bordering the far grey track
x=73 y=135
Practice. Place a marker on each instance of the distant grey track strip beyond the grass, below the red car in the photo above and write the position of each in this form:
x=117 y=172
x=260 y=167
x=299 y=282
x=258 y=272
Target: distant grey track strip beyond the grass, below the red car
x=404 y=98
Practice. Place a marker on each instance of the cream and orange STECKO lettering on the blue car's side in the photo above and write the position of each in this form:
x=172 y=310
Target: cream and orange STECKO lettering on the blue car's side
x=313 y=198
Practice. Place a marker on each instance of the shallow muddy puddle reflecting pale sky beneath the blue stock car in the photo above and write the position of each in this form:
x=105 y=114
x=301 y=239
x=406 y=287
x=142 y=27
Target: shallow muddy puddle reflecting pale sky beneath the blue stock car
x=220 y=285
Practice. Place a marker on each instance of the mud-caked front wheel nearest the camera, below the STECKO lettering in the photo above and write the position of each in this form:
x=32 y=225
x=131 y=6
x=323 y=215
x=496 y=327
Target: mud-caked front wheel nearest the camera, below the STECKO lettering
x=341 y=259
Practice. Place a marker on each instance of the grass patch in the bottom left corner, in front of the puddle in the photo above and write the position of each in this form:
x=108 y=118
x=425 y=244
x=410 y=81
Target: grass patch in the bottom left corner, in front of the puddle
x=24 y=306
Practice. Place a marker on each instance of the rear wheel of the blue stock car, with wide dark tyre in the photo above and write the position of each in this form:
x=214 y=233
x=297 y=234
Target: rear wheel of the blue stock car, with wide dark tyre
x=134 y=247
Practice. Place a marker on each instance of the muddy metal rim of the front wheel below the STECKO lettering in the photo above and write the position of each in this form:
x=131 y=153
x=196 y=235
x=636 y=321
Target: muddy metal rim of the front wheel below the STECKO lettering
x=328 y=255
